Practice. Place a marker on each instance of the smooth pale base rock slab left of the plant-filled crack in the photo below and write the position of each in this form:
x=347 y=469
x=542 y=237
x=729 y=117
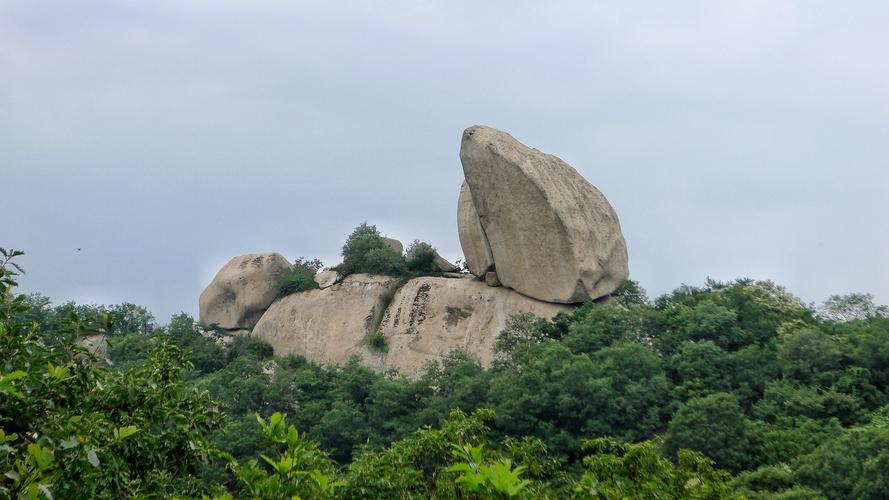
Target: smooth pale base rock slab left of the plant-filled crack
x=328 y=325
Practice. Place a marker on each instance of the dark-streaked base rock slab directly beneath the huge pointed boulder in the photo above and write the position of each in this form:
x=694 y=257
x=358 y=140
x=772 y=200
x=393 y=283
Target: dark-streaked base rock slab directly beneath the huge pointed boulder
x=430 y=317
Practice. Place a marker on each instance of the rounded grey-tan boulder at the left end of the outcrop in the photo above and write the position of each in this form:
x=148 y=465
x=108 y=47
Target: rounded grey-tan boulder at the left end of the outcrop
x=242 y=290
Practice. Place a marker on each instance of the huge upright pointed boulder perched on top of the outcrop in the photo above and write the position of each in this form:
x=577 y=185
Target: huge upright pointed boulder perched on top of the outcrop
x=553 y=235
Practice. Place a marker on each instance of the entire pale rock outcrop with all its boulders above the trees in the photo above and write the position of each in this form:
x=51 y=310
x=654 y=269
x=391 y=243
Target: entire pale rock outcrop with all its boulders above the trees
x=535 y=234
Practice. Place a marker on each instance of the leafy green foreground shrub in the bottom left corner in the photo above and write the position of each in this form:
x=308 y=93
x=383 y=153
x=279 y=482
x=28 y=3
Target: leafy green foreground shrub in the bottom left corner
x=70 y=428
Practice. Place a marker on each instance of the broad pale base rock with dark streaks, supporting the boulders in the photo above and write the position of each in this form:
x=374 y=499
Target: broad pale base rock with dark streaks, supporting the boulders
x=427 y=318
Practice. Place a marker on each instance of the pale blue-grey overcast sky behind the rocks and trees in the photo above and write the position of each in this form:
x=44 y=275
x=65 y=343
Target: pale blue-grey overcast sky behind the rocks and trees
x=145 y=143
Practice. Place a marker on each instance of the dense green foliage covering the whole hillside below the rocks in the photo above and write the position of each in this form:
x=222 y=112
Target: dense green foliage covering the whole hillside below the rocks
x=632 y=398
